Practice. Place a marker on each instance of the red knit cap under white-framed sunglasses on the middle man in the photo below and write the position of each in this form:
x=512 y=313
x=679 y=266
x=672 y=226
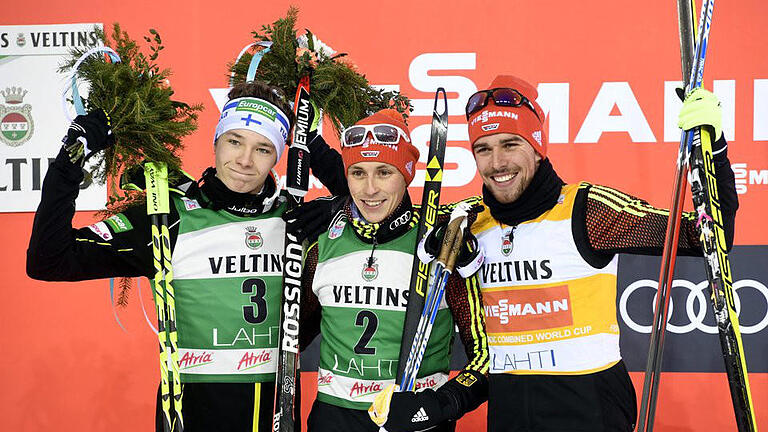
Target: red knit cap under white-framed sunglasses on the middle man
x=402 y=155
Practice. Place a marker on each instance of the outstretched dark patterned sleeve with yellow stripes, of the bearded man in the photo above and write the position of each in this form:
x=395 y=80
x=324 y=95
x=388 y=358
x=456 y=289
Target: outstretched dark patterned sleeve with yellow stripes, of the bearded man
x=607 y=221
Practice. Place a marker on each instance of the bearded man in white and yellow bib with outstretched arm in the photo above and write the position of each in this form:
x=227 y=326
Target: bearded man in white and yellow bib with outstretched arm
x=549 y=277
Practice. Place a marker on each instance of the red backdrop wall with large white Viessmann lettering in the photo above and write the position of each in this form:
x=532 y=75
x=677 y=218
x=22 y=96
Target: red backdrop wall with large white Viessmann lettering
x=66 y=365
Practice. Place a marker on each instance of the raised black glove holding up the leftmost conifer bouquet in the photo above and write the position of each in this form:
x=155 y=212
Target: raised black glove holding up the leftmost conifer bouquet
x=88 y=134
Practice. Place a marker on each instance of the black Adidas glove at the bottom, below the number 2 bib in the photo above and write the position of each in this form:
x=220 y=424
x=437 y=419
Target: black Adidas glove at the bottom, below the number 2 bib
x=417 y=411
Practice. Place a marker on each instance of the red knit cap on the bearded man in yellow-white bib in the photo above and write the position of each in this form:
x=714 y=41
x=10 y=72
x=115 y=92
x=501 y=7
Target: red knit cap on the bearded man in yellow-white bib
x=520 y=120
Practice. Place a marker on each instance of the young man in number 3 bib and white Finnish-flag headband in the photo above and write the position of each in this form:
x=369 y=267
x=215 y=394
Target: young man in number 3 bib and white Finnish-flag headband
x=227 y=241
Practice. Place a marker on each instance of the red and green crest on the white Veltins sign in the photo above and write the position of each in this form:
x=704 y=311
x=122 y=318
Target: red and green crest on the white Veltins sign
x=16 y=124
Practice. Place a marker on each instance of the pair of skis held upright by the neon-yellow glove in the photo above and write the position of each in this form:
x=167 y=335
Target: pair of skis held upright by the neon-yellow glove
x=696 y=152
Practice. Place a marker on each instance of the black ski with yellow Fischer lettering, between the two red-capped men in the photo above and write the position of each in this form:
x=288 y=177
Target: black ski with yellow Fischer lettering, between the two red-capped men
x=430 y=201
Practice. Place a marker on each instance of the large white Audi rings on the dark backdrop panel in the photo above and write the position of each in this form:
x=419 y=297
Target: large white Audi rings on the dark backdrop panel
x=697 y=298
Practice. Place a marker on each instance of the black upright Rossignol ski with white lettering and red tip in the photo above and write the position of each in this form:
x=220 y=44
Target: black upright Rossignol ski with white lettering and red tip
x=297 y=184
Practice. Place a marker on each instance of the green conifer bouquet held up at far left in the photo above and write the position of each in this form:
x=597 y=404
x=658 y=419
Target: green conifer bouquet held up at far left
x=148 y=124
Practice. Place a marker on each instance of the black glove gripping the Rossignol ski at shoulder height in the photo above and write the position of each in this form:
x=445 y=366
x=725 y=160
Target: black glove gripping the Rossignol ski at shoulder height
x=310 y=219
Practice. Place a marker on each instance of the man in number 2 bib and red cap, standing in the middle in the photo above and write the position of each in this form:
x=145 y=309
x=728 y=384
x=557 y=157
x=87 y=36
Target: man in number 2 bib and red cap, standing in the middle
x=357 y=273
